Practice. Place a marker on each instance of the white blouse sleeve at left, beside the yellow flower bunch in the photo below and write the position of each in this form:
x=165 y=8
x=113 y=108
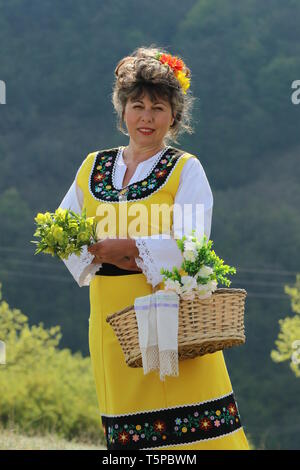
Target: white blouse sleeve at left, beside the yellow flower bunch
x=79 y=266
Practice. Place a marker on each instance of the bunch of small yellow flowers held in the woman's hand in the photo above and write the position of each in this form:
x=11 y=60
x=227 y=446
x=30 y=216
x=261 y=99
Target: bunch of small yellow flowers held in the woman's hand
x=64 y=232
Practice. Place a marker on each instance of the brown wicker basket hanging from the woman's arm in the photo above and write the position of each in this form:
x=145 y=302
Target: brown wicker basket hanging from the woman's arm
x=205 y=326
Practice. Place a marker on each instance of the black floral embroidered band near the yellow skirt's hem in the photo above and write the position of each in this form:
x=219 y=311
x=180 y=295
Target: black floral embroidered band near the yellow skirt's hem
x=180 y=425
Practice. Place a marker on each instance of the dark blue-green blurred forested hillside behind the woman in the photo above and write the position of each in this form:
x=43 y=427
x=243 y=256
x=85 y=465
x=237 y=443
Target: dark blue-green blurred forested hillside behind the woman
x=57 y=62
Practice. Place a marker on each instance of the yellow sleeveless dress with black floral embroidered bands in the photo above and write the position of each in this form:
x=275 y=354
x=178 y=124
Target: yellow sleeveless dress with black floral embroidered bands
x=197 y=409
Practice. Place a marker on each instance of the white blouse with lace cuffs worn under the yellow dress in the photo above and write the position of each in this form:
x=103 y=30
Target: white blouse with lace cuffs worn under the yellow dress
x=154 y=253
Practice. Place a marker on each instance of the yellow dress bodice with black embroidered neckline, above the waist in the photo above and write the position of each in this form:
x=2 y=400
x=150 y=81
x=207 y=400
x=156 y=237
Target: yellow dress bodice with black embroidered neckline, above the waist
x=123 y=206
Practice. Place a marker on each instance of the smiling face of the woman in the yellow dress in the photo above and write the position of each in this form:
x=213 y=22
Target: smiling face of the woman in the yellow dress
x=143 y=113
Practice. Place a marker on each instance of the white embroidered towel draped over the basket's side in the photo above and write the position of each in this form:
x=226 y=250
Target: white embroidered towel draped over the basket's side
x=157 y=318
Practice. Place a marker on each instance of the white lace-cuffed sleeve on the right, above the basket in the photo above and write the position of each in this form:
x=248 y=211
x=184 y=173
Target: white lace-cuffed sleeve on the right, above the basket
x=194 y=205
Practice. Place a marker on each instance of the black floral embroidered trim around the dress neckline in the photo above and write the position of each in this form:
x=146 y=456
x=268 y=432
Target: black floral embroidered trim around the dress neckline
x=101 y=182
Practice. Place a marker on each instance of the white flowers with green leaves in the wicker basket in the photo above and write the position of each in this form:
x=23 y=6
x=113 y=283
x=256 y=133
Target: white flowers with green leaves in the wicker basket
x=200 y=271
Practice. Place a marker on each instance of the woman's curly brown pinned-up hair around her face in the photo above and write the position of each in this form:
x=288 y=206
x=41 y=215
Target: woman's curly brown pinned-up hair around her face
x=141 y=73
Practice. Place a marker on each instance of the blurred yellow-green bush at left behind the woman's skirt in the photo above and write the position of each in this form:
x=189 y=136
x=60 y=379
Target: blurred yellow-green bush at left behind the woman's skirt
x=44 y=388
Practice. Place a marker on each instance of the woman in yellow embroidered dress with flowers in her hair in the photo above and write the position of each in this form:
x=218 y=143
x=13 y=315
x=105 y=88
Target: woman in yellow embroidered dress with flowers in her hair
x=197 y=409
